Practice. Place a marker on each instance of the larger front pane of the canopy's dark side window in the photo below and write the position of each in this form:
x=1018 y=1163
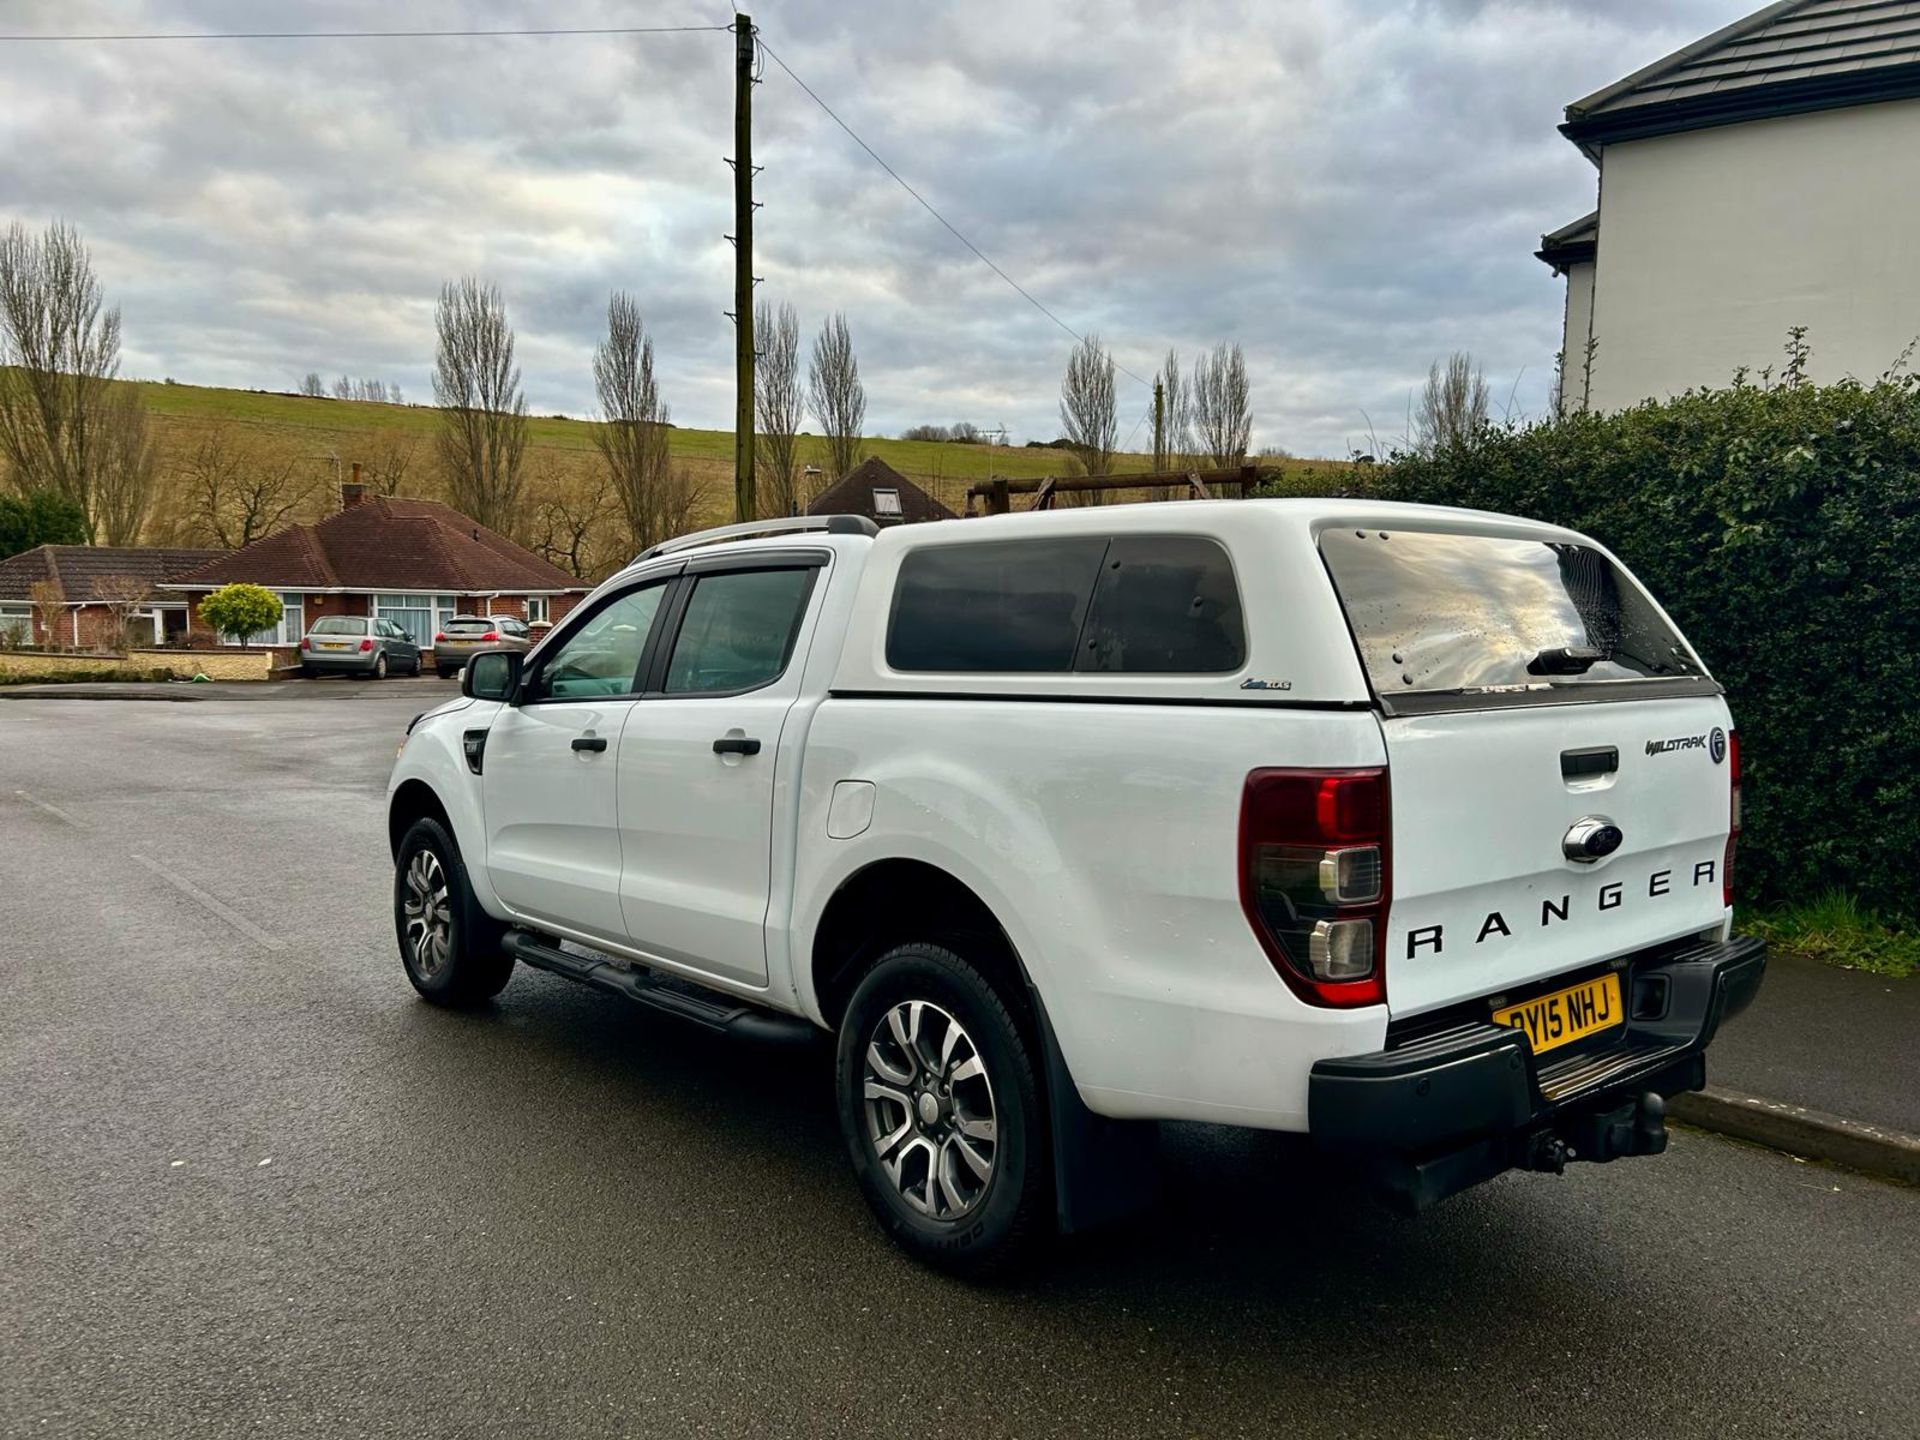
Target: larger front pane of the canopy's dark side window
x=1009 y=606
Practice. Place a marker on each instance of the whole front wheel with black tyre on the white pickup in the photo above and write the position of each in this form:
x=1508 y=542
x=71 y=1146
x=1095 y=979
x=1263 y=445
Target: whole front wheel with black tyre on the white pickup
x=446 y=942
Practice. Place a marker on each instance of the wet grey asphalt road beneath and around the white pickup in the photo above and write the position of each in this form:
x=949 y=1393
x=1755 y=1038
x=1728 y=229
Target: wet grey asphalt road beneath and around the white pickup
x=252 y=1186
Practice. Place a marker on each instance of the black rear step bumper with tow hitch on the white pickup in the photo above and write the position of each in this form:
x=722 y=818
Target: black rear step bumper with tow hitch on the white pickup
x=1458 y=1107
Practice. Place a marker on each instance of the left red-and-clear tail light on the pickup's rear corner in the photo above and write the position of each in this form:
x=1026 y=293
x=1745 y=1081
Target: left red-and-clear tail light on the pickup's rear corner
x=1316 y=880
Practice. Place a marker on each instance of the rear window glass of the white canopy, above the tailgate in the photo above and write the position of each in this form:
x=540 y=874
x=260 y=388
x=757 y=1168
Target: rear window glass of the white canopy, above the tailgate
x=1439 y=612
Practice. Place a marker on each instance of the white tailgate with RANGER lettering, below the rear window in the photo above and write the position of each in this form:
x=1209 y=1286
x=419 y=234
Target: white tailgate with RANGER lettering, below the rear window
x=1487 y=807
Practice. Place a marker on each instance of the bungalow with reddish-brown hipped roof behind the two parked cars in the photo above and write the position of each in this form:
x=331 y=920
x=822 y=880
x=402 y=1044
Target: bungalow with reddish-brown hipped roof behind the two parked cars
x=410 y=562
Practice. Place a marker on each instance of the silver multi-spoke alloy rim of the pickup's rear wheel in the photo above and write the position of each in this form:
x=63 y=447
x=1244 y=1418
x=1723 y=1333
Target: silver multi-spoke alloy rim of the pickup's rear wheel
x=930 y=1115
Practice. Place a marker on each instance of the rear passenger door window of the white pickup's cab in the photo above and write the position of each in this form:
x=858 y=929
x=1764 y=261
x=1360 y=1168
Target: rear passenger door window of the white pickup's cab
x=738 y=631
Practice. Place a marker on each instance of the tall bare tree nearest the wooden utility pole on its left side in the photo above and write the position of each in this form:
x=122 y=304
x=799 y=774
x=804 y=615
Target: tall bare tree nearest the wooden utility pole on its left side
x=635 y=433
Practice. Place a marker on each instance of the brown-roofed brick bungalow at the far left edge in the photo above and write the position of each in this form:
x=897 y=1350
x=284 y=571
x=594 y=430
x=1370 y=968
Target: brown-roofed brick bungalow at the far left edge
x=84 y=577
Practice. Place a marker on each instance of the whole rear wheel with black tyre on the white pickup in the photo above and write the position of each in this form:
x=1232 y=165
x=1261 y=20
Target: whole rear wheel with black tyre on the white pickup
x=942 y=1113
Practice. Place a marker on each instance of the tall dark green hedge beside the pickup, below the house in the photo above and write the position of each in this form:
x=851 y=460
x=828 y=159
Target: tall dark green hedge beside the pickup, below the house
x=1781 y=527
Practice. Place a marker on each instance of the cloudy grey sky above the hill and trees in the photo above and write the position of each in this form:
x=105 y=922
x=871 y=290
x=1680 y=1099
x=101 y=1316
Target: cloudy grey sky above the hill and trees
x=1345 y=187
